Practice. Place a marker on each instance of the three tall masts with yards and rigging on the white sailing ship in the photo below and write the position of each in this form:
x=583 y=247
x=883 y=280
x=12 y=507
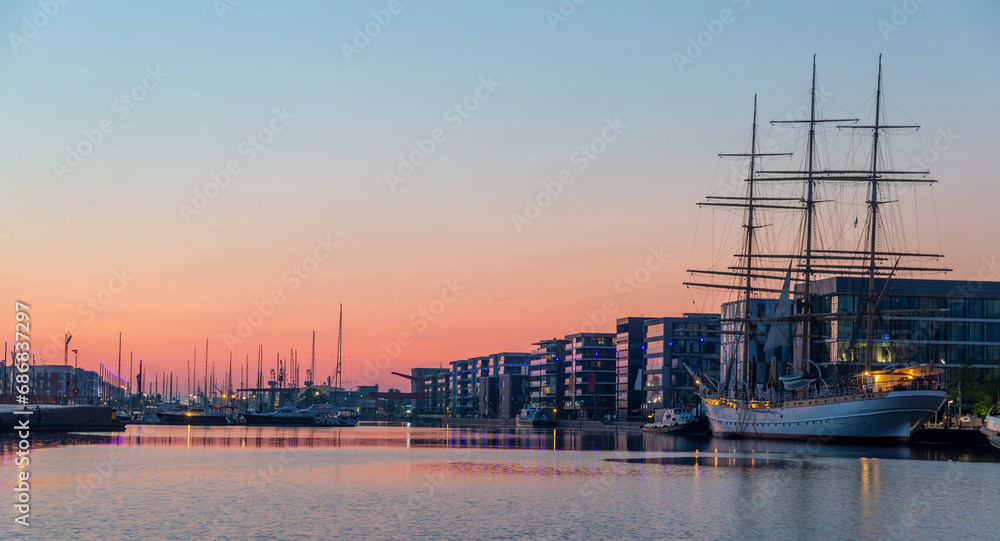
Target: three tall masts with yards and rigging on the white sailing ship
x=812 y=260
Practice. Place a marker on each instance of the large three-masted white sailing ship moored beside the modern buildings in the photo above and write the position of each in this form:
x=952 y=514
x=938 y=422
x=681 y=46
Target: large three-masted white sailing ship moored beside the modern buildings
x=787 y=394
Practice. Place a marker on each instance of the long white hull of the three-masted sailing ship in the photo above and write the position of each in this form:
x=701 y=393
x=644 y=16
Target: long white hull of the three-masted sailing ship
x=884 y=416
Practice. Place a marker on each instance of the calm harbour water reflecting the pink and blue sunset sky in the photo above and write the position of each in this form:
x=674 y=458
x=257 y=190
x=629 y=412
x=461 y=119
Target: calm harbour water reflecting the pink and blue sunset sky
x=427 y=483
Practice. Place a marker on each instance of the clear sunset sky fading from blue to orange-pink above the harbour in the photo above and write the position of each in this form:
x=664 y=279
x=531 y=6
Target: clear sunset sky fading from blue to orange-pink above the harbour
x=465 y=178
